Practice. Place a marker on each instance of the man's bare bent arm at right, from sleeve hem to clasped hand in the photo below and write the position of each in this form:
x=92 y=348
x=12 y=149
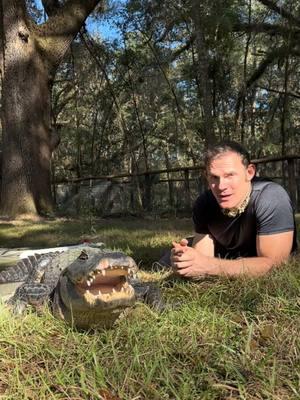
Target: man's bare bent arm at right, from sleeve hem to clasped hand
x=272 y=250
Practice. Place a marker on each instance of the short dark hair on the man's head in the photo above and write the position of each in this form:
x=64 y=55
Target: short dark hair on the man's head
x=215 y=150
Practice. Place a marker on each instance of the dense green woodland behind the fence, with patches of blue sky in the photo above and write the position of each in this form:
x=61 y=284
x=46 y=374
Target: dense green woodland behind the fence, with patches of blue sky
x=167 y=79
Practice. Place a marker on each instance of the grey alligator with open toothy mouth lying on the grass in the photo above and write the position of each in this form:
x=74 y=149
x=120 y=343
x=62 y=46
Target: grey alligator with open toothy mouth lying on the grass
x=86 y=287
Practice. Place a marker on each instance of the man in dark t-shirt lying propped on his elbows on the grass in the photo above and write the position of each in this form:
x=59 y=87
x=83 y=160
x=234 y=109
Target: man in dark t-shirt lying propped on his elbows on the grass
x=244 y=225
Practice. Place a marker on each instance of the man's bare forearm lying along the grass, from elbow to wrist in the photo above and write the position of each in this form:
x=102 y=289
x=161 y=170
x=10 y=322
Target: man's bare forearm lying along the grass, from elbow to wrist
x=252 y=266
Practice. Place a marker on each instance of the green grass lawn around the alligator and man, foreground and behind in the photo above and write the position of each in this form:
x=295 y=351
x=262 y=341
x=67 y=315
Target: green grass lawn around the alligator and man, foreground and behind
x=227 y=339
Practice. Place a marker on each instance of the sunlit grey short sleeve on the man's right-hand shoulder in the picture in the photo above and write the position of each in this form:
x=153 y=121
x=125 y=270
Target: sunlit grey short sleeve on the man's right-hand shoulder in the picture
x=274 y=210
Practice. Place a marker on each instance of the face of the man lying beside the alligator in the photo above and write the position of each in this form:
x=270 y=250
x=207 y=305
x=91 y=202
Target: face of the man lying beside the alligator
x=229 y=180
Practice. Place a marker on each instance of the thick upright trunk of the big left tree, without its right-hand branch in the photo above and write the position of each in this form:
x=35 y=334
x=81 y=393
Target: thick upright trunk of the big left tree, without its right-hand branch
x=26 y=122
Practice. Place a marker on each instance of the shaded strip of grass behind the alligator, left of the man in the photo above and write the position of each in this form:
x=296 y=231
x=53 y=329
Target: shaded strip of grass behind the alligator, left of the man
x=145 y=240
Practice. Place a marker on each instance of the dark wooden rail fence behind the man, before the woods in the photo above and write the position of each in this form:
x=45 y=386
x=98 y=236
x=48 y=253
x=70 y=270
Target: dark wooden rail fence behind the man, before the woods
x=190 y=181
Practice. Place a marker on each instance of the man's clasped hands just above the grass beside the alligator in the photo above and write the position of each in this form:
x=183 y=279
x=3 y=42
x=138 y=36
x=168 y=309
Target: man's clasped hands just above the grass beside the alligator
x=186 y=261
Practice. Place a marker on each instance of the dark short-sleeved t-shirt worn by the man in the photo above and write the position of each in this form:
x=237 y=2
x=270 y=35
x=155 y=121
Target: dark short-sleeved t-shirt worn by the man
x=269 y=211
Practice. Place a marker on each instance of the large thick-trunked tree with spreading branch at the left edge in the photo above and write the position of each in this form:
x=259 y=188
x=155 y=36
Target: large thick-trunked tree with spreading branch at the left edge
x=29 y=56
